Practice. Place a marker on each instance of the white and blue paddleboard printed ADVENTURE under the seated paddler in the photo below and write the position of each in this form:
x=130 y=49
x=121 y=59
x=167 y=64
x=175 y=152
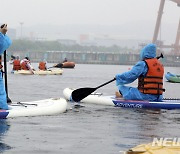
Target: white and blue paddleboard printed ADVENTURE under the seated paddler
x=98 y=98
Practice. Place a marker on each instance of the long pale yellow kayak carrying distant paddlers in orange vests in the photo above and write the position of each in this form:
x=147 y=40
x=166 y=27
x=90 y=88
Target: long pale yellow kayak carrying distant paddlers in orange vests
x=39 y=72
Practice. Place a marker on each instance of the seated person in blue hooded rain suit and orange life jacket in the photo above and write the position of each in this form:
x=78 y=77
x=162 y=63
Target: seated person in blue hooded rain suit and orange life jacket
x=149 y=71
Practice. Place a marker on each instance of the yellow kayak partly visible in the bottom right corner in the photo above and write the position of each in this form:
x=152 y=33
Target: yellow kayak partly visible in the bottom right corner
x=168 y=147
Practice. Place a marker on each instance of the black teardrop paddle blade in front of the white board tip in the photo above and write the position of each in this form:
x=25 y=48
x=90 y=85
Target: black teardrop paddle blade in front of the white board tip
x=81 y=93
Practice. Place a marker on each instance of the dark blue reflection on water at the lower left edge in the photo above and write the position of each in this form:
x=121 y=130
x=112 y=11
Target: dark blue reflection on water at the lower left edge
x=4 y=126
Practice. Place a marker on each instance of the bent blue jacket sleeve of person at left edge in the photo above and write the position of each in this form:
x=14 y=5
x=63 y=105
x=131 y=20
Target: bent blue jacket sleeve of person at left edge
x=5 y=42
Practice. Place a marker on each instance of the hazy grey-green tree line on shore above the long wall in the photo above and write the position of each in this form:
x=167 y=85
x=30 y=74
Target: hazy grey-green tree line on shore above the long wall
x=35 y=46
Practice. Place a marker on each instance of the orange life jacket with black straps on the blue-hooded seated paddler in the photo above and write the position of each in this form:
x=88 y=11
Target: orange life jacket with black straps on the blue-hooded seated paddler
x=152 y=82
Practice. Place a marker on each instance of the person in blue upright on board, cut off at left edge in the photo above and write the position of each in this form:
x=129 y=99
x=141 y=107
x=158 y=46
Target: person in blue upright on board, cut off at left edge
x=5 y=42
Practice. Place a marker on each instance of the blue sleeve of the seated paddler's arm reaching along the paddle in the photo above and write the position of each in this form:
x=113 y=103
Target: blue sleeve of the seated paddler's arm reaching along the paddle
x=132 y=75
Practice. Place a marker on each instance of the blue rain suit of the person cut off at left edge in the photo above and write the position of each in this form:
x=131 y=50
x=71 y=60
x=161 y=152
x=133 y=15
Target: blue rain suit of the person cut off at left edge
x=5 y=42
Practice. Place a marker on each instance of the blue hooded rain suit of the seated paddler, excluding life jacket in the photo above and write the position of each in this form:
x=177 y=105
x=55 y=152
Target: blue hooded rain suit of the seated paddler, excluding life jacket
x=140 y=68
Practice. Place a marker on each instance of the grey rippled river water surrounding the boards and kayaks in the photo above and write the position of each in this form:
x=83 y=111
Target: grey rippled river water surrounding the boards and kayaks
x=91 y=129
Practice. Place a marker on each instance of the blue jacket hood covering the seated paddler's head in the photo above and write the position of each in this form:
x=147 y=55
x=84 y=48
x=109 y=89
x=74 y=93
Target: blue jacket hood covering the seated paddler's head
x=149 y=51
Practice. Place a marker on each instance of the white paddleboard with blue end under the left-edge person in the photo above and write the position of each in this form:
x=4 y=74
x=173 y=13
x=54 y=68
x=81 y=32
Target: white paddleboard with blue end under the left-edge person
x=44 y=107
